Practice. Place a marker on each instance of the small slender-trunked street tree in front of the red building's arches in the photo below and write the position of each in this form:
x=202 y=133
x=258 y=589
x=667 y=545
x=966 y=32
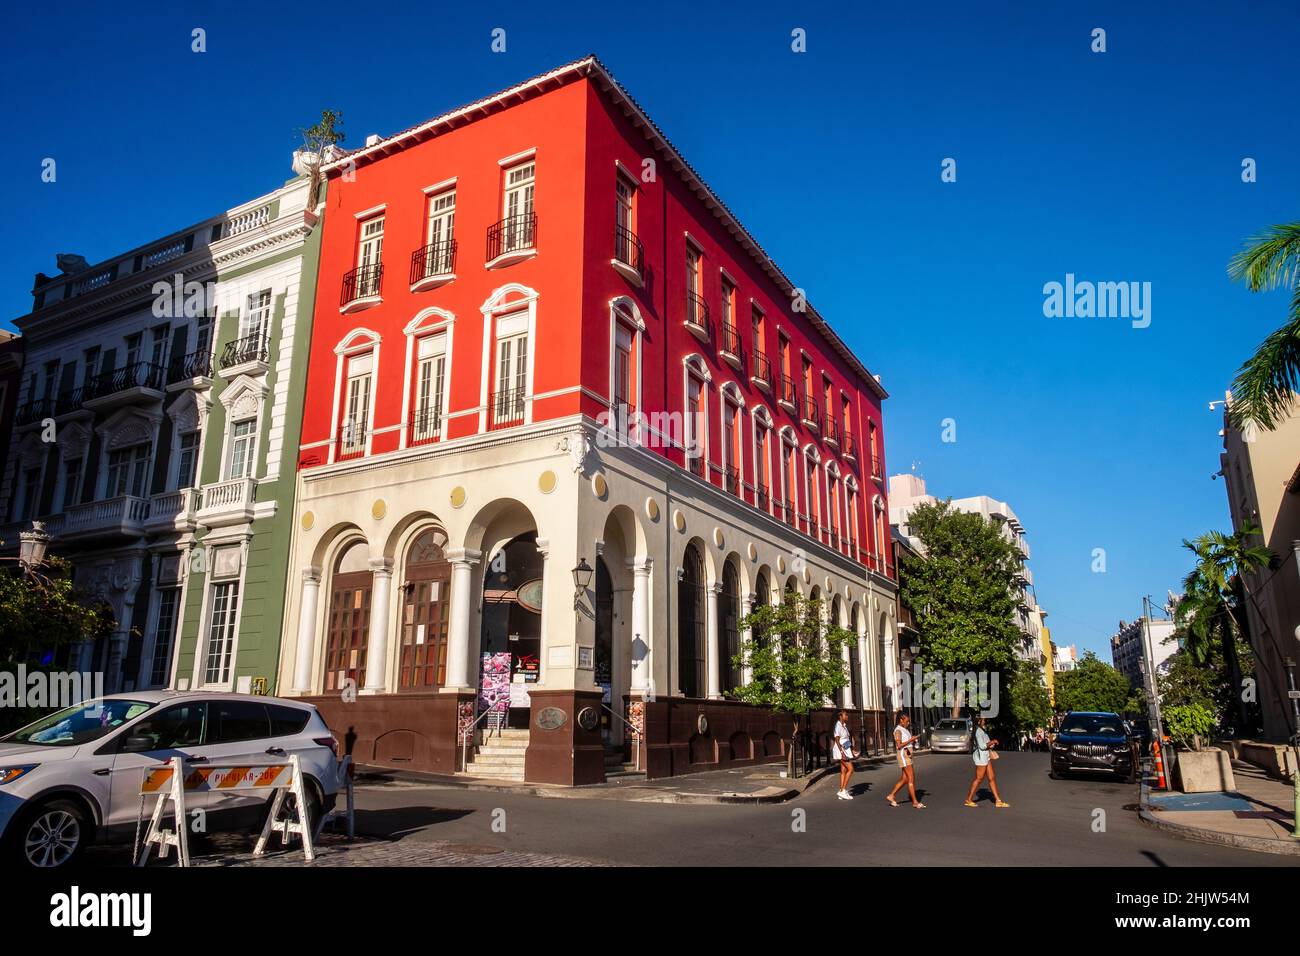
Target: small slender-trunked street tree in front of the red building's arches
x=795 y=659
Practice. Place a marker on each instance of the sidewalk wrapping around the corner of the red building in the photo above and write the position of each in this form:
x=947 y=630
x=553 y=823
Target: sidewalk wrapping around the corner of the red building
x=756 y=785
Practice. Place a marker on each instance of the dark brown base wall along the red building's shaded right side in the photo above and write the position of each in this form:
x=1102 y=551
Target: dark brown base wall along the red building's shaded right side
x=735 y=736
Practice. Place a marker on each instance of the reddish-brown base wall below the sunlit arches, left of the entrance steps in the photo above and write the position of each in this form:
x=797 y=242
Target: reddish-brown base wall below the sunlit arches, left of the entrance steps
x=415 y=732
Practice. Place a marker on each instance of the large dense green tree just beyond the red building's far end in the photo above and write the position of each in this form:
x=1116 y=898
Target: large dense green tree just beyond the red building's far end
x=964 y=591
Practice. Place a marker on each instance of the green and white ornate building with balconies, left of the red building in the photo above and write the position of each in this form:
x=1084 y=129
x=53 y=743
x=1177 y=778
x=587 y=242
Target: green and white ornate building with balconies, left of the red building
x=155 y=434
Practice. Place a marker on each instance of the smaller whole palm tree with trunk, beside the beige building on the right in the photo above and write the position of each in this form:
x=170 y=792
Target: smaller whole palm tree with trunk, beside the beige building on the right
x=1212 y=608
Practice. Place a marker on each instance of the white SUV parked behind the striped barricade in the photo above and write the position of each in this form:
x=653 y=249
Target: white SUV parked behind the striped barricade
x=73 y=777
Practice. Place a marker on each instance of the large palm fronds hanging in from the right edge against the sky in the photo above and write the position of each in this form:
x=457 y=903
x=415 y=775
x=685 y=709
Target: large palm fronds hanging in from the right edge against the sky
x=1264 y=390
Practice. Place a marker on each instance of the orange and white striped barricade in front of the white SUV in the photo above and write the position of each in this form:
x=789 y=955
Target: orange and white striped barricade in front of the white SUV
x=174 y=782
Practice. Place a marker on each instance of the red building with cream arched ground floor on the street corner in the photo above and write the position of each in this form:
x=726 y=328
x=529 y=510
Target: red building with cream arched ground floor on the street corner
x=541 y=278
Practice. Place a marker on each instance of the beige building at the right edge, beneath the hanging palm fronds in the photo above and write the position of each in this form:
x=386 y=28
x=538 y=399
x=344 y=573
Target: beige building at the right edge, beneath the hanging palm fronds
x=1262 y=477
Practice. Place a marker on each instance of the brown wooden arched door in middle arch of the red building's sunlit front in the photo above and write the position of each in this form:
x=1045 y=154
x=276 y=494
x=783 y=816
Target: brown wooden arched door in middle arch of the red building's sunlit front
x=424 y=613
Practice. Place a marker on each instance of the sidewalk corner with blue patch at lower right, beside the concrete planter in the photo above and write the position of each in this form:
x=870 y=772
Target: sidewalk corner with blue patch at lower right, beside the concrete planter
x=1259 y=815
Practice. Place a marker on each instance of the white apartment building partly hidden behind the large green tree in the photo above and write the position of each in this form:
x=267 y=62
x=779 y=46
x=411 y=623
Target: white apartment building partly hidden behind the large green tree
x=907 y=492
